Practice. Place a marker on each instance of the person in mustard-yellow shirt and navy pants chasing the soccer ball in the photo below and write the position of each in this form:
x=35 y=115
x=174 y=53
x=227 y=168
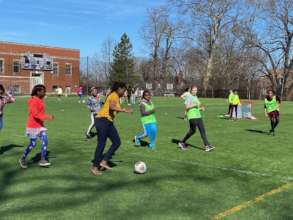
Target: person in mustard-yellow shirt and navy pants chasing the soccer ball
x=106 y=129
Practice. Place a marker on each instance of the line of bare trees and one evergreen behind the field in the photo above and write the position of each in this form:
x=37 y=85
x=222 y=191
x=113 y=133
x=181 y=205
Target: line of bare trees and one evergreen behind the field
x=217 y=44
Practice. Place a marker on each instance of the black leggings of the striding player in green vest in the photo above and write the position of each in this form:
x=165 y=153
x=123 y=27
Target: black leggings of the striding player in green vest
x=193 y=123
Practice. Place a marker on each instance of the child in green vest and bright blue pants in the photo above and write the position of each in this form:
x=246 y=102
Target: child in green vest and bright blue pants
x=148 y=120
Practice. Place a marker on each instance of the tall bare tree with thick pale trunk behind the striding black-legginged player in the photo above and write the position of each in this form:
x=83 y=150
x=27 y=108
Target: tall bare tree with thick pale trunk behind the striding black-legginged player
x=208 y=19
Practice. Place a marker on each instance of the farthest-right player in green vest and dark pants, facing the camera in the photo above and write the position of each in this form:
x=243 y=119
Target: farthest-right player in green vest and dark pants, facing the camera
x=272 y=109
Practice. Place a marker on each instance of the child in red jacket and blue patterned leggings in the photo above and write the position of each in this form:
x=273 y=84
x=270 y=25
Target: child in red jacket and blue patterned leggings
x=35 y=126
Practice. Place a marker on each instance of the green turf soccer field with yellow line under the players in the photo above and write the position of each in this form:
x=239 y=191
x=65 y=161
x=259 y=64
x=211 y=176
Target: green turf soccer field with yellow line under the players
x=248 y=176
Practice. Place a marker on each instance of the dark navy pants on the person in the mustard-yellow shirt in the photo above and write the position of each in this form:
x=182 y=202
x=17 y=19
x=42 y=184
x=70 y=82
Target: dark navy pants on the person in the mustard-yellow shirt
x=105 y=129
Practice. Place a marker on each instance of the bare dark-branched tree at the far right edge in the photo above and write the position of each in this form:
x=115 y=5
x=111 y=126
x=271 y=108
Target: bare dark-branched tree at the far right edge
x=274 y=41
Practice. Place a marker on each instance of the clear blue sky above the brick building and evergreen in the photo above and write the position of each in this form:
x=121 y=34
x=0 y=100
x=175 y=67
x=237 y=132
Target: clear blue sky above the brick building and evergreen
x=80 y=24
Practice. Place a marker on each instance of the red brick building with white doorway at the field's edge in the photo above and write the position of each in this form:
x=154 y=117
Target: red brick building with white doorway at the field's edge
x=64 y=68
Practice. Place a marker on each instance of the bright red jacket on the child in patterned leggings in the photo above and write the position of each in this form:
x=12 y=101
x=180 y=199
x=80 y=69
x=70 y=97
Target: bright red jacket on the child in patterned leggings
x=36 y=110
